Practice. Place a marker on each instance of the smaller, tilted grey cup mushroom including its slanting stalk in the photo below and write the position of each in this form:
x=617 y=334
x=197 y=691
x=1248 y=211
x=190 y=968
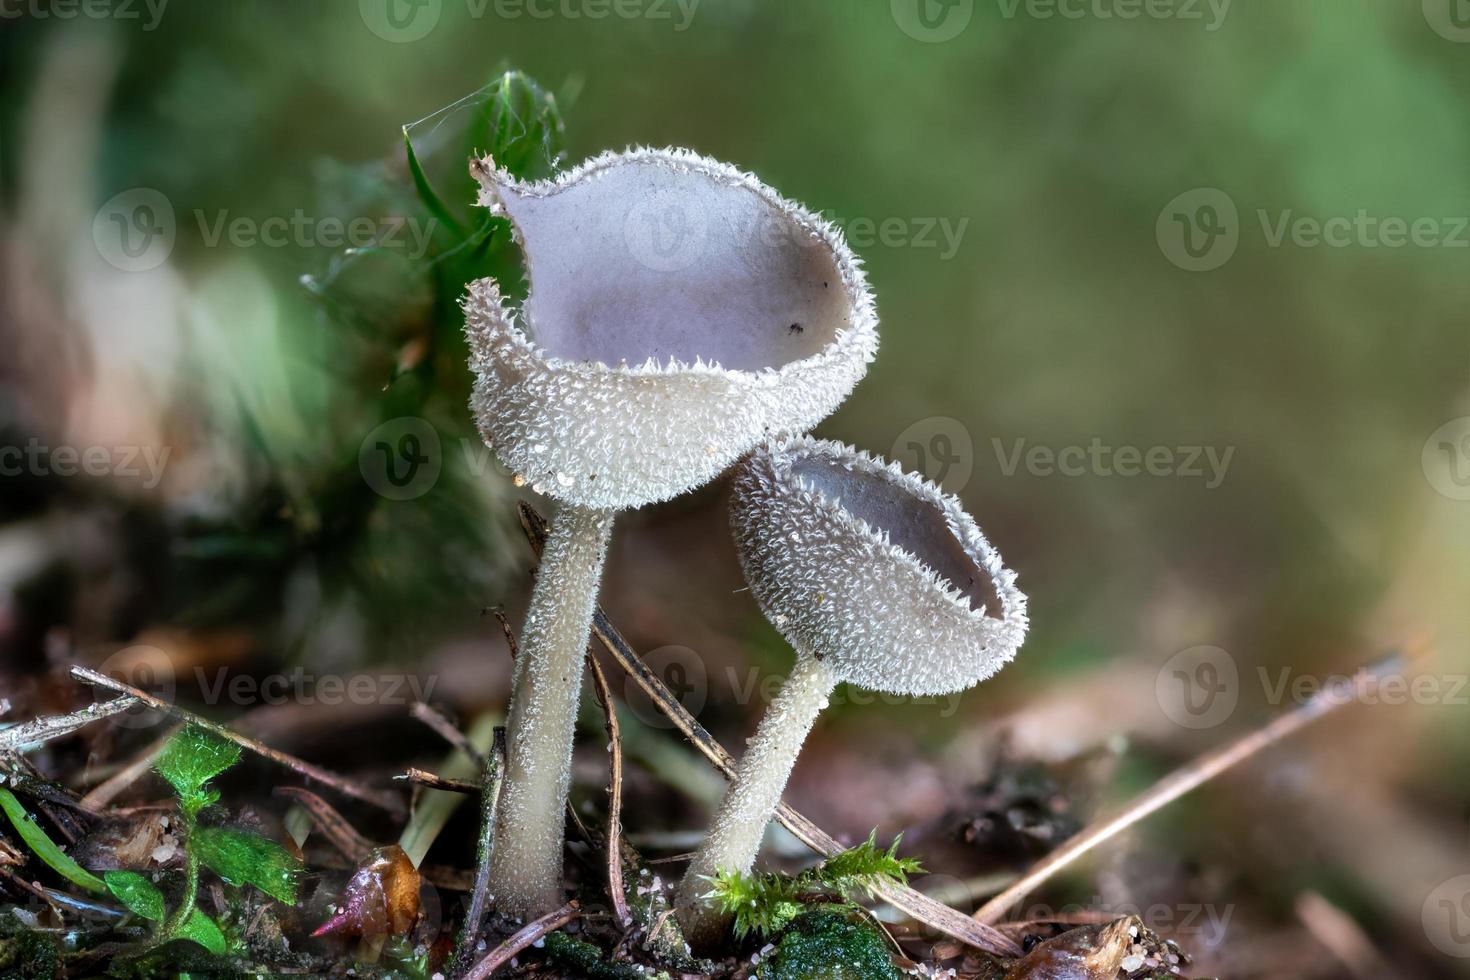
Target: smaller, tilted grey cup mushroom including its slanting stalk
x=877 y=578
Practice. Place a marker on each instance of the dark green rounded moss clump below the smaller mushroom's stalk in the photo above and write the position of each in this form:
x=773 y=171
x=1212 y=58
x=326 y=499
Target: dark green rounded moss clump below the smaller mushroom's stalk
x=830 y=944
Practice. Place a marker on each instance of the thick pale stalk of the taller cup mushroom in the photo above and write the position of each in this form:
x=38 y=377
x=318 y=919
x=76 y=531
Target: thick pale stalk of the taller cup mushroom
x=526 y=869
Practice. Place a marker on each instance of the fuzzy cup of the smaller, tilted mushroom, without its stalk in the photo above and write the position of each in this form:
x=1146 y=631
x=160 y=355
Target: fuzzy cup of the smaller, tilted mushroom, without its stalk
x=896 y=590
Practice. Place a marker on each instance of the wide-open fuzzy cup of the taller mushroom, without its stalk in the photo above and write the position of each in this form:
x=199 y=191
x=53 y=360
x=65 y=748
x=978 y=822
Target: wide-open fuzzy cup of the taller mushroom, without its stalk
x=628 y=380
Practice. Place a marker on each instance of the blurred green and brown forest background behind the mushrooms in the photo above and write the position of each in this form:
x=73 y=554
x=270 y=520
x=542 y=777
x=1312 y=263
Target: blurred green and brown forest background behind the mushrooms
x=1091 y=234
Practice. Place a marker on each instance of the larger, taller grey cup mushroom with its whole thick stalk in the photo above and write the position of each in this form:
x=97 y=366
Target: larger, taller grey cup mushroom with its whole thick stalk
x=678 y=312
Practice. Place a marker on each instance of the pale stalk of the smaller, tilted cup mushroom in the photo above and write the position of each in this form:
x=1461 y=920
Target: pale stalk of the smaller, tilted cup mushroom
x=753 y=796
